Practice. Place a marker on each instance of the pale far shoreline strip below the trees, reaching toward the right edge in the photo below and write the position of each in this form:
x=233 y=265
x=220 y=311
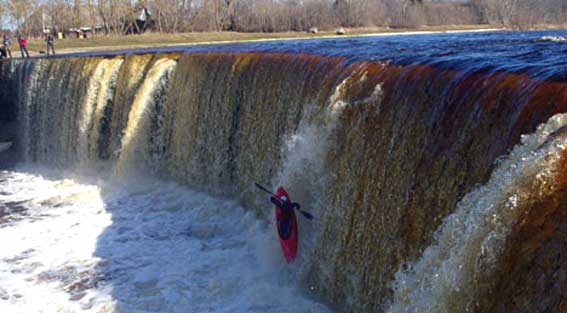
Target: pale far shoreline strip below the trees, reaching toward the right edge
x=156 y=40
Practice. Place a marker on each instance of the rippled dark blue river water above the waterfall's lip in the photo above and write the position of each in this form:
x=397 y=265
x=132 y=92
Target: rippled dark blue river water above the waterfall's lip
x=517 y=52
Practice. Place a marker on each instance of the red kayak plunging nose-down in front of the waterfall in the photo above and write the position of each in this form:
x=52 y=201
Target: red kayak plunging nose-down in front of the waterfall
x=288 y=233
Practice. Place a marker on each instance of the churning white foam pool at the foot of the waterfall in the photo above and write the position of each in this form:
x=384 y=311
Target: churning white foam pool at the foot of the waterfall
x=77 y=245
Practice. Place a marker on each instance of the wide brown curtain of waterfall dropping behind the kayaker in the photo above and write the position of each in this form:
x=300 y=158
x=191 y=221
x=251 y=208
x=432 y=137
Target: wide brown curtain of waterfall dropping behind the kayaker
x=397 y=162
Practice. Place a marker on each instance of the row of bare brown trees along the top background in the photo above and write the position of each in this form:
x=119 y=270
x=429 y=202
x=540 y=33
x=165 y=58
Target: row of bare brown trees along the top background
x=30 y=17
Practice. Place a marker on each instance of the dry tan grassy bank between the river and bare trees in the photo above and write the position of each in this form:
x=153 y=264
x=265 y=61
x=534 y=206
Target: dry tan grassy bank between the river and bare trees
x=104 y=43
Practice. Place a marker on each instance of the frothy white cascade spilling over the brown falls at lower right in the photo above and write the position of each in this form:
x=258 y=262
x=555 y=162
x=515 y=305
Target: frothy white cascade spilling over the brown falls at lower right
x=462 y=265
